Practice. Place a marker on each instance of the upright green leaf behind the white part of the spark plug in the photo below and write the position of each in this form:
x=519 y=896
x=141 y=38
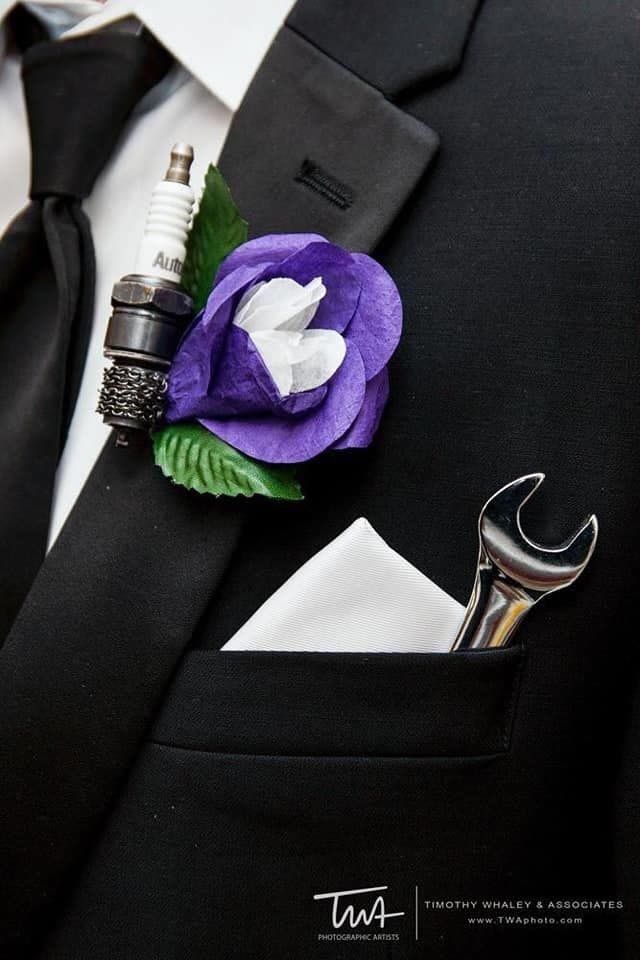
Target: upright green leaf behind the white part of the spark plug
x=217 y=229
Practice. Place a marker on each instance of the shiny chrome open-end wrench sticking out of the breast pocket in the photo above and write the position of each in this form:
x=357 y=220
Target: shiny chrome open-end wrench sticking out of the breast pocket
x=513 y=572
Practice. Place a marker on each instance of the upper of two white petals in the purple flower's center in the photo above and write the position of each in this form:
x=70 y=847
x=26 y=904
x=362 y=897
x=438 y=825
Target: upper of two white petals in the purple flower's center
x=279 y=304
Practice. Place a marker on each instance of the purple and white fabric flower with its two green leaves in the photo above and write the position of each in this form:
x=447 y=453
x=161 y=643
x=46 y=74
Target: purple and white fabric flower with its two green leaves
x=286 y=357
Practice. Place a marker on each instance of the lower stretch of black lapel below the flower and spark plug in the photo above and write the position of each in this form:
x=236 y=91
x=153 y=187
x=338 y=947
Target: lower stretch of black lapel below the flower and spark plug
x=79 y=687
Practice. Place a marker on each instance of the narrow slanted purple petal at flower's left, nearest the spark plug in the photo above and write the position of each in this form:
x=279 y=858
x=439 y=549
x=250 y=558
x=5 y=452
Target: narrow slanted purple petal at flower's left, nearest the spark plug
x=204 y=344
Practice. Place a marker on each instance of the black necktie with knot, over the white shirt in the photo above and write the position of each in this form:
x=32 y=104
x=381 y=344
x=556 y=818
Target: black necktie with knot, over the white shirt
x=79 y=94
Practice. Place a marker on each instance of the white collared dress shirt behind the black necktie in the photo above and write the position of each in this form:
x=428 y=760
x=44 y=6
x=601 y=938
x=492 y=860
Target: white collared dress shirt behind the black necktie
x=219 y=45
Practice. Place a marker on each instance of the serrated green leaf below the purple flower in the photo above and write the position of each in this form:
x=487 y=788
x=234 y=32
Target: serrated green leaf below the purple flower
x=196 y=459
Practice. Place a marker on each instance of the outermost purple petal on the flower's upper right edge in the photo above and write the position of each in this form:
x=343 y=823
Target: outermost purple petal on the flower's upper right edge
x=377 y=324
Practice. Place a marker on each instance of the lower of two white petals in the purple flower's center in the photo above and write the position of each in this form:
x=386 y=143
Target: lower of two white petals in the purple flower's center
x=299 y=361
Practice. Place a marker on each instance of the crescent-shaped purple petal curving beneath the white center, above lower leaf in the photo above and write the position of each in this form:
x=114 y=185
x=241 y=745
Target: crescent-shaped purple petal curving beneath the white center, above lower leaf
x=280 y=440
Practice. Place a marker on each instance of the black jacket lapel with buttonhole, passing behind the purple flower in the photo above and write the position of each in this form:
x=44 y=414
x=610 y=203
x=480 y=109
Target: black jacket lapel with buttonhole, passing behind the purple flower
x=120 y=595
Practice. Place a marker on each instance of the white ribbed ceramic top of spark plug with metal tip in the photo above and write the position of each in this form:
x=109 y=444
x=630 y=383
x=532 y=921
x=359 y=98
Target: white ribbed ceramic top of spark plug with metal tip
x=162 y=251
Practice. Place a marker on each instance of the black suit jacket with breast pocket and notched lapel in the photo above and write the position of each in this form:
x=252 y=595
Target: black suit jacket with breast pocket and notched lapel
x=161 y=799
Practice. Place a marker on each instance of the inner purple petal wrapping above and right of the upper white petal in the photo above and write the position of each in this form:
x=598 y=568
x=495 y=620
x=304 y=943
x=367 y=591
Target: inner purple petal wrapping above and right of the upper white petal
x=340 y=275
